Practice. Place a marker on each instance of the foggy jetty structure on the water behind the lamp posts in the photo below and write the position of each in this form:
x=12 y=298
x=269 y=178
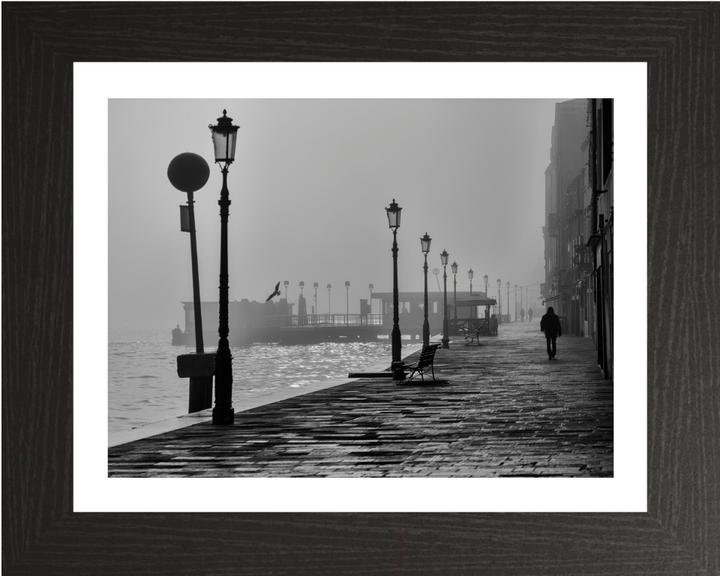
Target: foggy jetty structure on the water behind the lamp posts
x=280 y=322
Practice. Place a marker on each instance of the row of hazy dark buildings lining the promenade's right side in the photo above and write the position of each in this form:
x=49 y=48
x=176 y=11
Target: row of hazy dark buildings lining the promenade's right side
x=578 y=231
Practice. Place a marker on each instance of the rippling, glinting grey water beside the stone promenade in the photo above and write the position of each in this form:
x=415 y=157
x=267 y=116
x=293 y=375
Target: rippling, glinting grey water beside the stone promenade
x=144 y=386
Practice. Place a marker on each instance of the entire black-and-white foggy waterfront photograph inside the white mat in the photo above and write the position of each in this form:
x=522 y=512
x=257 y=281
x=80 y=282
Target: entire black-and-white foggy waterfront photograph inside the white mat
x=408 y=288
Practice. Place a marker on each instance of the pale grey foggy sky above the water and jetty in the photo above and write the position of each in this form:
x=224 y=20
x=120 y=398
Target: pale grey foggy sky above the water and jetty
x=309 y=187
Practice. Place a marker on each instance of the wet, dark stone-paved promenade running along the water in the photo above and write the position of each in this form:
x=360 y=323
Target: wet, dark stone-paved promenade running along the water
x=503 y=410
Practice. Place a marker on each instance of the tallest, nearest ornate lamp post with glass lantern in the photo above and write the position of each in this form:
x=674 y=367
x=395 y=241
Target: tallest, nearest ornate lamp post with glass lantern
x=224 y=137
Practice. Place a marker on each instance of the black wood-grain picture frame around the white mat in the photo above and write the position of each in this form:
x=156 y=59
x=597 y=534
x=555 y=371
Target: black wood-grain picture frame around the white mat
x=680 y=533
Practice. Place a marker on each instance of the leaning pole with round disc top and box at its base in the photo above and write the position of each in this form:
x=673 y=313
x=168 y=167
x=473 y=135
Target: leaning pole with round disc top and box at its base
x=188 y=173
